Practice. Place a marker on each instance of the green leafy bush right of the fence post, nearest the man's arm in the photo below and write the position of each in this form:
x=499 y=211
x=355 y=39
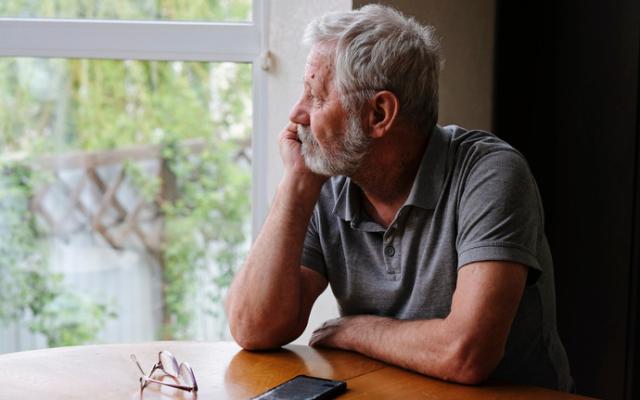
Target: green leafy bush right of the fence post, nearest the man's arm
x=207 y=224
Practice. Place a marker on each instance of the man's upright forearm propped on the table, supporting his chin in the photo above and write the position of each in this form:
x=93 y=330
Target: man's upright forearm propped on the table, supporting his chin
x=264 y=304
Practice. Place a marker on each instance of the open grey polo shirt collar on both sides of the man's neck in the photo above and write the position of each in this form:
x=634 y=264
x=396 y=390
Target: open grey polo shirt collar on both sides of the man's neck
x=426 y=187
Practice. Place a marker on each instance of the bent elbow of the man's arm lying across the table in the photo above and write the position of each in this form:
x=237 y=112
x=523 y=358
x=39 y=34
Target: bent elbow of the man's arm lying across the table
x=472 y=364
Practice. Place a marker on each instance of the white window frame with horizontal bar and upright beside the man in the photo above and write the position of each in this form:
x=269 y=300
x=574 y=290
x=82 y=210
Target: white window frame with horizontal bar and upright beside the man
x=165 y=41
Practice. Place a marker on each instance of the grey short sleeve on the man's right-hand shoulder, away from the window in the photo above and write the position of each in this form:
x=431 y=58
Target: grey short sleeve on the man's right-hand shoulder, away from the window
x=500 y=215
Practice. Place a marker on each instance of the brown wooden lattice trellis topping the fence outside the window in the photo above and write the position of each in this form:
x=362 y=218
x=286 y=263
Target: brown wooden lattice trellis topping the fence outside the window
x=107 y=217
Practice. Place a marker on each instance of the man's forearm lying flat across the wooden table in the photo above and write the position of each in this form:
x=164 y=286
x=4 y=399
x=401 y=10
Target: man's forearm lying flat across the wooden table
x=433 y=347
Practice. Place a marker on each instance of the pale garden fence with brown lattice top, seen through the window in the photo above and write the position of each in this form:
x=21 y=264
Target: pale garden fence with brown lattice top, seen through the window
x=106 y=238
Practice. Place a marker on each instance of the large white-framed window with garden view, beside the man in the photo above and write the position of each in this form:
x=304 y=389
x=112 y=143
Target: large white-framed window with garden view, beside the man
x=129 y=145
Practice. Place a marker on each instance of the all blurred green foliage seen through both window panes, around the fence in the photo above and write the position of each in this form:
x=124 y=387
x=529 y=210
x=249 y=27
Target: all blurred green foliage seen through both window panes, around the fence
x=54 y=106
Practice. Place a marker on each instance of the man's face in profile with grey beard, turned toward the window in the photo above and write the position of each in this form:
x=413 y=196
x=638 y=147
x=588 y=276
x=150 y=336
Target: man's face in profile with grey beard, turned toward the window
x=333 y=141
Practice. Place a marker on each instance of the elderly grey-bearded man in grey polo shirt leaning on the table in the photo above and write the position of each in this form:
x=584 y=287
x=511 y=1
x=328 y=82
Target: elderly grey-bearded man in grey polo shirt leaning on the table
x=431 y=237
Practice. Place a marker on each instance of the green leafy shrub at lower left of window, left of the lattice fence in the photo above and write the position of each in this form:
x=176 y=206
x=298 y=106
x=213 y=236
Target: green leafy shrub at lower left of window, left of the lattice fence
x=28 y=289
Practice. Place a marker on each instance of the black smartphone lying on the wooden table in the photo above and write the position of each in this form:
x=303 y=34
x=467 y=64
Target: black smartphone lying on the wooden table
x=303 y=387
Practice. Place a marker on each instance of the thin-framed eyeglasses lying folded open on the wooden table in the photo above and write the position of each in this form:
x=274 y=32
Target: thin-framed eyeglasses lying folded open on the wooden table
x=168 y=364
